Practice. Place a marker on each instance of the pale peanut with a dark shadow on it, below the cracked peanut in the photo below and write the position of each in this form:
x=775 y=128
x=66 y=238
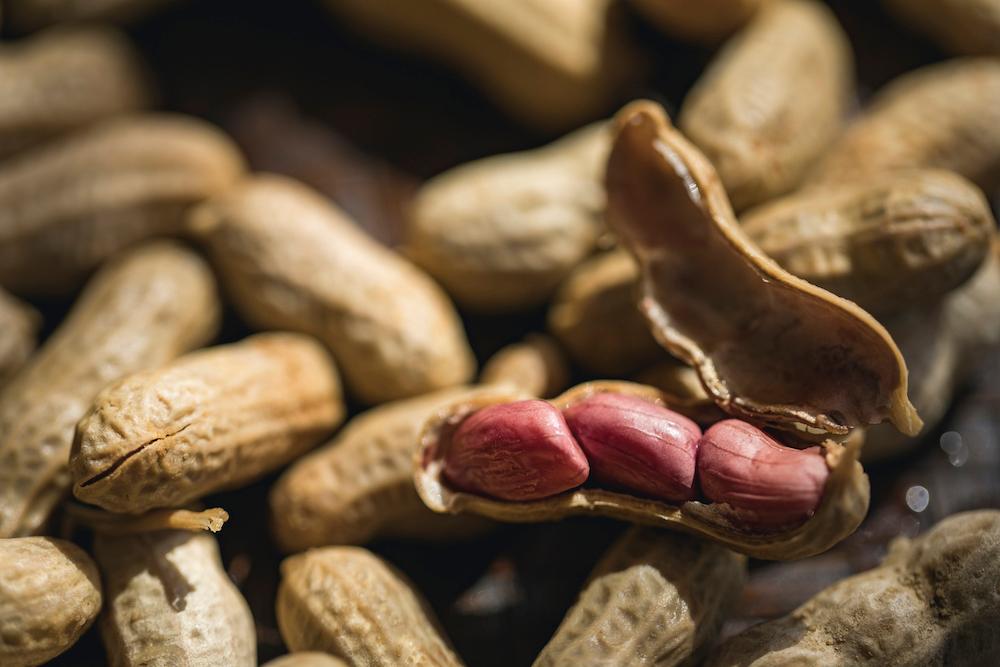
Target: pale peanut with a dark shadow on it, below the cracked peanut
x=169 y=602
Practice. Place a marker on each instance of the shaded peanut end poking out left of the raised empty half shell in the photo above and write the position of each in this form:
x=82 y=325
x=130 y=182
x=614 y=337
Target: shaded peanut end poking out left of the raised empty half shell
x=595 y=318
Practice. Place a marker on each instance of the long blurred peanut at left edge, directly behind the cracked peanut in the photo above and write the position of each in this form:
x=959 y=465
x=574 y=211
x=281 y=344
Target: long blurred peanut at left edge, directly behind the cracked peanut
x=146 y=308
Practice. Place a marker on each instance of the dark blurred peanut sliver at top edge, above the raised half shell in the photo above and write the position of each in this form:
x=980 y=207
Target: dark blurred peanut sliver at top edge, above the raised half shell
x=707 y=21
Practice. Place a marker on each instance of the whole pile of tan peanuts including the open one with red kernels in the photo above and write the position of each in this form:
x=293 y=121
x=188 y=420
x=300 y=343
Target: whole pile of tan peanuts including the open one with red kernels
x=751 y=301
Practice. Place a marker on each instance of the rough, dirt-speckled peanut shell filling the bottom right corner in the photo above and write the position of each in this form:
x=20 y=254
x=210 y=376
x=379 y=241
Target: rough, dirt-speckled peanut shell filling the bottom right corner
x=933 y=601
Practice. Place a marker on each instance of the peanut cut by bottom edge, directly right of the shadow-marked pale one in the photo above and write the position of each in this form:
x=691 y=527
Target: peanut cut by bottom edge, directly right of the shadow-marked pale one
x=348 y=602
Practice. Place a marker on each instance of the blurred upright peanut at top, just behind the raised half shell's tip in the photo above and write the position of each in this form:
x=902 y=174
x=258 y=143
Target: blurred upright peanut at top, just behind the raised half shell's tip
x=773 y=100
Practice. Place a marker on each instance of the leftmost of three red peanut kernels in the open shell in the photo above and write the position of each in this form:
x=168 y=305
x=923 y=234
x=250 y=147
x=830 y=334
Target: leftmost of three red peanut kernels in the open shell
x=515 y=451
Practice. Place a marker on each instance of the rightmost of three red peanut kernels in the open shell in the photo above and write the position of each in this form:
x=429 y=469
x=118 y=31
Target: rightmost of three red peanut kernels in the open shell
x=771 y=486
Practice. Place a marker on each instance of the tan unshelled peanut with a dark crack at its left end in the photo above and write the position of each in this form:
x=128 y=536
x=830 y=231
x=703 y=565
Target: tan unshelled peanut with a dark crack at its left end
x=214 y=419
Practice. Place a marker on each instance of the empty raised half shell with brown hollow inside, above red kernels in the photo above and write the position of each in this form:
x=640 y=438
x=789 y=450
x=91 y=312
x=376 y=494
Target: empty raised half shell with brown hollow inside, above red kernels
x=768 y=346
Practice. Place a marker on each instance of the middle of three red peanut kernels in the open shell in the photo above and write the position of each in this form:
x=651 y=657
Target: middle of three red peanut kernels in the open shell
x=636 y=445
